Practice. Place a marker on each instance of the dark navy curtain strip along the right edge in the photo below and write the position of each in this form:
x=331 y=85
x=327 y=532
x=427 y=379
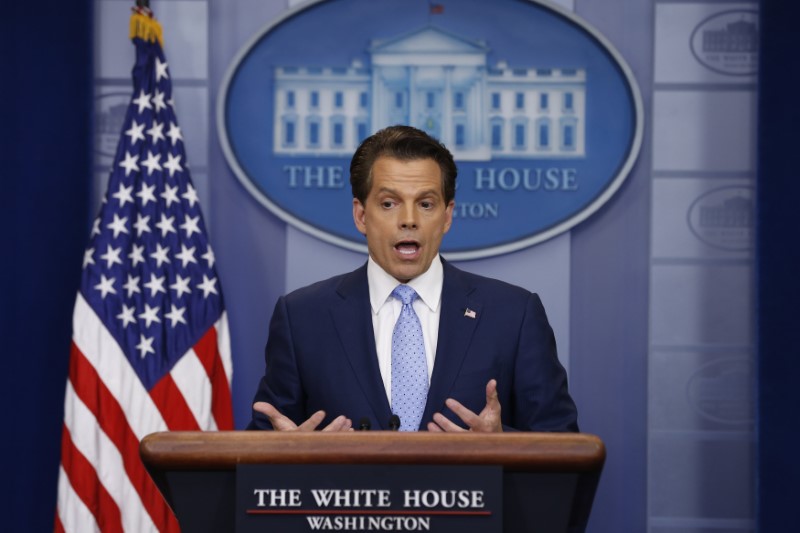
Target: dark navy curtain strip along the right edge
x=778 y=267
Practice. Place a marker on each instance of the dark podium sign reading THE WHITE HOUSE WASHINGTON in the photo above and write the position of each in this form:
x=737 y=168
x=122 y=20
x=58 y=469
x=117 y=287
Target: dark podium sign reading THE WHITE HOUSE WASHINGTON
x=304 y=498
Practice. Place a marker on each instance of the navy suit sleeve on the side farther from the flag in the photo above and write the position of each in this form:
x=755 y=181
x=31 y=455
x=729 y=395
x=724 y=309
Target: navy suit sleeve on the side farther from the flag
x=541 y=401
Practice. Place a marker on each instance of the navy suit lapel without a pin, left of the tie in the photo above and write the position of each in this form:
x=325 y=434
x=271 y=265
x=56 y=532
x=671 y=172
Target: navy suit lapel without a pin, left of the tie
x=353 y=320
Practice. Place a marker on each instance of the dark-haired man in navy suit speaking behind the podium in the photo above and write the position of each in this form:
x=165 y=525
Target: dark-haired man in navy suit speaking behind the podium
x=409 y=334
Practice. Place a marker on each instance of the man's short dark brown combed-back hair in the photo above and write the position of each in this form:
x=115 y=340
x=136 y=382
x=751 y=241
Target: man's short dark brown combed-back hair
x=406 y=144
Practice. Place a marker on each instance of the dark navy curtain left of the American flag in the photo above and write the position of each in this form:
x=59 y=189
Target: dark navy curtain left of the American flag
x=44 y=215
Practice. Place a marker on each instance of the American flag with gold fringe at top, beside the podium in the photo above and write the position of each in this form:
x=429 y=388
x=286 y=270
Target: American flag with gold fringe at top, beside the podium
x=150 y=347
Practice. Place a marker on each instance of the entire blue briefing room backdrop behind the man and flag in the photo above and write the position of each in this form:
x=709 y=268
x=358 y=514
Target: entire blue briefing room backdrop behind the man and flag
x=670 y=287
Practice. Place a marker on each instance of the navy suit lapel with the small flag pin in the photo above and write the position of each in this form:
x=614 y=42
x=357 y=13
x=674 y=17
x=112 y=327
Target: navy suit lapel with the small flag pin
x=455 y=335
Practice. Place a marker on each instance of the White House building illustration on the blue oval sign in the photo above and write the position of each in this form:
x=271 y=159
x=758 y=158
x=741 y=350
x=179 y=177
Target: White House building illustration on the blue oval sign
x=438 y=82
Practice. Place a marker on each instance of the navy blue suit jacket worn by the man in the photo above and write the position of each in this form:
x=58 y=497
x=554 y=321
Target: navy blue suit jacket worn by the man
x=321 y=355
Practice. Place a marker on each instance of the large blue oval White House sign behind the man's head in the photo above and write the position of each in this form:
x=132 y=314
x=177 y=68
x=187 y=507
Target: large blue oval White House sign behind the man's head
x=543 y=116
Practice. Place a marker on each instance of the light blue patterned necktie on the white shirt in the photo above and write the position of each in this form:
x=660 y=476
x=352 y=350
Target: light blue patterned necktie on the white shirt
x=409 y=365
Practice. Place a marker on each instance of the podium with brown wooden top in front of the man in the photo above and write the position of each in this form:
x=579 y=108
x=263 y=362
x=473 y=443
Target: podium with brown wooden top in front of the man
x=548 y=479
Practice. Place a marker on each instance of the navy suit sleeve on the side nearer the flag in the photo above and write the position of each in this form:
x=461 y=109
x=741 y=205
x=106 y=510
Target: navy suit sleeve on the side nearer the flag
x=280 y=384
